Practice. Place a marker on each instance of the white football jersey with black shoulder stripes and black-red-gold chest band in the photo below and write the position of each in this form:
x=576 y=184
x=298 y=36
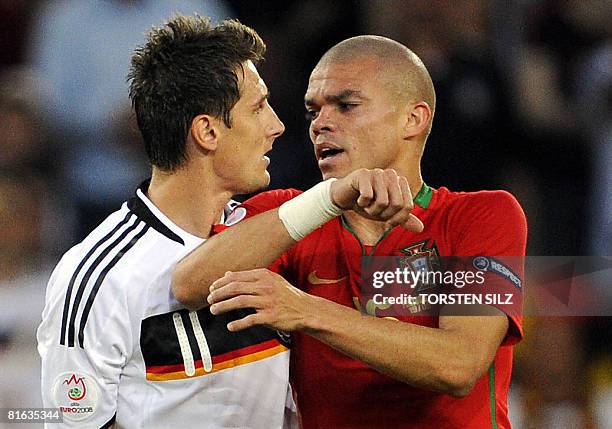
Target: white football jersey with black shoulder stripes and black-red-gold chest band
x=118 y=348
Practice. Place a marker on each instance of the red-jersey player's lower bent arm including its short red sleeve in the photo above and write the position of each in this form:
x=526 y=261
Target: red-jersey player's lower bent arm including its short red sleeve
x=449 y=359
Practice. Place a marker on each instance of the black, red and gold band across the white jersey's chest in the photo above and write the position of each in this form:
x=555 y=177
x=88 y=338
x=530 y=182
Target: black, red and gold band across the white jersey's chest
x=172 y=351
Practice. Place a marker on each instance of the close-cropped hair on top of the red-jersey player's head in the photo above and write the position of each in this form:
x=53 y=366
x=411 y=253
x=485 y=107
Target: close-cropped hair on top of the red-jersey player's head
x=402 y=70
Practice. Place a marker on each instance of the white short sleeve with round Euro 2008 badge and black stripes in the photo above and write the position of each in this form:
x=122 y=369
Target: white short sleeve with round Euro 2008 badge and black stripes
x=82 y=351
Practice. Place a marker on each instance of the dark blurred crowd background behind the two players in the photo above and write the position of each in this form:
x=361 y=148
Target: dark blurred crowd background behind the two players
x=524 y=103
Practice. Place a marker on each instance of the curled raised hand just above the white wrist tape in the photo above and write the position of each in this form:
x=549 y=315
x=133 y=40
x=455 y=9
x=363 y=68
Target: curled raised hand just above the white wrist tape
x=379 y=195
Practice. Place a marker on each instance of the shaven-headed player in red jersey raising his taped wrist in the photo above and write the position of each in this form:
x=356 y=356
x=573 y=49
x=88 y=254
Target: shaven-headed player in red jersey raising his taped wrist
x=371 y=103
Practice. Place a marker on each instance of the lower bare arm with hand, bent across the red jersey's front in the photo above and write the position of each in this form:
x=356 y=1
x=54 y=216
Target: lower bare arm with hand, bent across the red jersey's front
x=449 y=359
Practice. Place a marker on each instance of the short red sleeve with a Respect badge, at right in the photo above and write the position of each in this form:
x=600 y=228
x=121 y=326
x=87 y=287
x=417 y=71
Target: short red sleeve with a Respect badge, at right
x=491 y=229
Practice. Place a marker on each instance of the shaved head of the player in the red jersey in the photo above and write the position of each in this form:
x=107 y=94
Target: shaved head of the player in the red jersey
x=371 y=100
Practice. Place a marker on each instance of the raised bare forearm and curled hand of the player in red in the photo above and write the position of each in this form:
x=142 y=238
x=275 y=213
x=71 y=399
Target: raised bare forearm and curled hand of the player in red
x=257 y=242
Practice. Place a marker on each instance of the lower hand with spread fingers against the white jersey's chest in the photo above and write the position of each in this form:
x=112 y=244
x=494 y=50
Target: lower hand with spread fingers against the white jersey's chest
x=277 y=303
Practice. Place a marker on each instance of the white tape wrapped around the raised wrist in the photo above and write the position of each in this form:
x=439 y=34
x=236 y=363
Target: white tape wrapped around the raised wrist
x=309 y=210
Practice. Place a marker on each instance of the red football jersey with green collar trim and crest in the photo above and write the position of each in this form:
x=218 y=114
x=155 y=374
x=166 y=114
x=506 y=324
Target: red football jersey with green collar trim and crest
x=335 y=391
